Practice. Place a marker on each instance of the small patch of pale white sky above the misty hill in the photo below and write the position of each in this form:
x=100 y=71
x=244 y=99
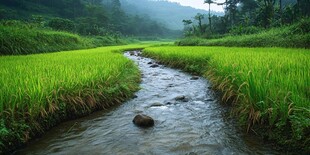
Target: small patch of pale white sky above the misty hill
x=199 y=4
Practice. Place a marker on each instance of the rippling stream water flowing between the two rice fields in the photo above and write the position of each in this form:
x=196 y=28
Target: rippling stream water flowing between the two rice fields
x=198 y=124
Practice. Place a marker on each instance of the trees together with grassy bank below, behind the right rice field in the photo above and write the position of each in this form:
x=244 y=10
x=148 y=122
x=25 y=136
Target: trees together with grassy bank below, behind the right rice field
x=252 y=23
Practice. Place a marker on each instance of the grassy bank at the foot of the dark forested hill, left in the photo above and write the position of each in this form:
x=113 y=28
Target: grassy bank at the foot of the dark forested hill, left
x=26 y=38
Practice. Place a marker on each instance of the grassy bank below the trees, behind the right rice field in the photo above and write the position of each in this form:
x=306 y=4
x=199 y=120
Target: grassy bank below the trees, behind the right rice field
x=294 y=36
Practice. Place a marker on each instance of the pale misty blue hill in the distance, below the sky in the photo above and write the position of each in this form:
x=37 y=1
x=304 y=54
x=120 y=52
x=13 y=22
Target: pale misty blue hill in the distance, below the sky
x=169 y=13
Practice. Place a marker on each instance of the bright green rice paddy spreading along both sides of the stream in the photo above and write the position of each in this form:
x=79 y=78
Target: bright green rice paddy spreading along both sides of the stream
x=268 y=87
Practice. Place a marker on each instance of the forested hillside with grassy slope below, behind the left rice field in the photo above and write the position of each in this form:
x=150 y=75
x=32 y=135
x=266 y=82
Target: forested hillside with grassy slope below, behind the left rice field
x=31 y=26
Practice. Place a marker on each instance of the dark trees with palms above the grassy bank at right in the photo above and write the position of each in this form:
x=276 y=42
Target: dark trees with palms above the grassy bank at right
x=247 y=17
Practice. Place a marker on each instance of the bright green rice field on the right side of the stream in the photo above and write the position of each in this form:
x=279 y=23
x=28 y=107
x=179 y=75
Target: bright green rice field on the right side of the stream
x=268 y=87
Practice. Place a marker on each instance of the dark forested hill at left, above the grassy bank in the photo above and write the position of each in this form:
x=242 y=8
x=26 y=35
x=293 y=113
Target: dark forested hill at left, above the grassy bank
x=85 y=17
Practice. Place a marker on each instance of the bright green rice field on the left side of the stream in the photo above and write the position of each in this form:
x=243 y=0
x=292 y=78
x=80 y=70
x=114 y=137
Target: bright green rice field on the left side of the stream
x=39 y=91
